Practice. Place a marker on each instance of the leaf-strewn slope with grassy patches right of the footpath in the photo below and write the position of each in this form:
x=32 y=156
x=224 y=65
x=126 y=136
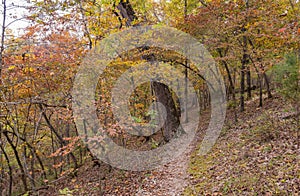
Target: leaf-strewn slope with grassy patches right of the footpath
x=258 y=156
